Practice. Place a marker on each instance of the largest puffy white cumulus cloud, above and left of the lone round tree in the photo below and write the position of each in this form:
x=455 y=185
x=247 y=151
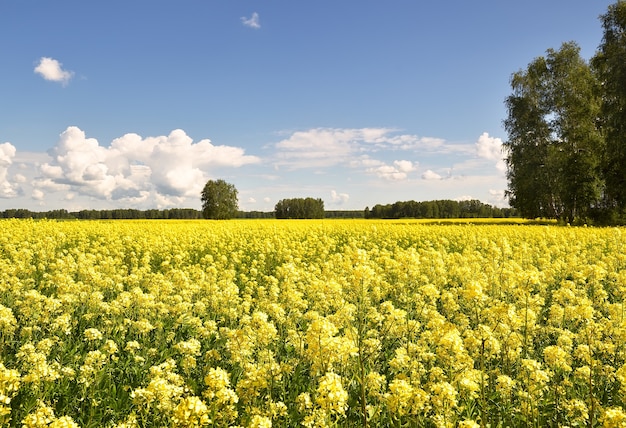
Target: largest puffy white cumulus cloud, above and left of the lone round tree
x=167 y=168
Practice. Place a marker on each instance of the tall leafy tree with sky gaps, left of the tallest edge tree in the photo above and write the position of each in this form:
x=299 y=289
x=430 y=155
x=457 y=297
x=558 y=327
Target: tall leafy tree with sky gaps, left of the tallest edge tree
x=553 y=146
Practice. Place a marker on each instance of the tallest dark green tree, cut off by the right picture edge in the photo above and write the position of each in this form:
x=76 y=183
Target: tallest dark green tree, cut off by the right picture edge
x=609 y=64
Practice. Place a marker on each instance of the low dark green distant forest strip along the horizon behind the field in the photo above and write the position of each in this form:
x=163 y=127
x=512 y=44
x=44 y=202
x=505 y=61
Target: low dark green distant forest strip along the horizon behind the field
x=408 y=209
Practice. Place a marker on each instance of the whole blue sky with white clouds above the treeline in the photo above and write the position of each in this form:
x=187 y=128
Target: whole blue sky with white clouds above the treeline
x=136 y=104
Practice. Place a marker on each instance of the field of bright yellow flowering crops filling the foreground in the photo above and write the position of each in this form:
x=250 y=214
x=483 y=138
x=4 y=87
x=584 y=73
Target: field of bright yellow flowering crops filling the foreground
x=310 y=323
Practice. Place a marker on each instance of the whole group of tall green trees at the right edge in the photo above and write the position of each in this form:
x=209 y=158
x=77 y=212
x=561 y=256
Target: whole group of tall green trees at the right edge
x=566 y=125
